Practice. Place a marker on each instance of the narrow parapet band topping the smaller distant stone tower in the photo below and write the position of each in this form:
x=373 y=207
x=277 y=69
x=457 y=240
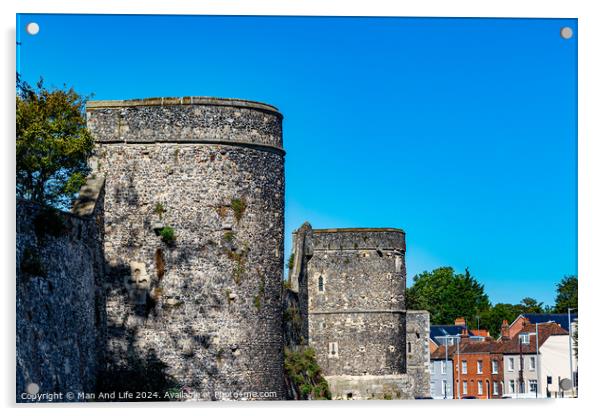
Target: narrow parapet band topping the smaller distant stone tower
x=359 y=239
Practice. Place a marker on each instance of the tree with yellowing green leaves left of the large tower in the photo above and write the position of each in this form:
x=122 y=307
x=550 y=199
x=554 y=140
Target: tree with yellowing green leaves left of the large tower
x=53 y=144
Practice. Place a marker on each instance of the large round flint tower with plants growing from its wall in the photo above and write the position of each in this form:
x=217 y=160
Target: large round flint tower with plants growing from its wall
x=194 y=199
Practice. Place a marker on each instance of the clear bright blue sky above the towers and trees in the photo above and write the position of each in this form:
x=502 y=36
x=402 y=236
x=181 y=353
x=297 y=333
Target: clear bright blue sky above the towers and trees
x=460 y=131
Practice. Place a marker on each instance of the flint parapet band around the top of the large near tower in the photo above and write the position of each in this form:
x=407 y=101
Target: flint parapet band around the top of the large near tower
x=186 y=120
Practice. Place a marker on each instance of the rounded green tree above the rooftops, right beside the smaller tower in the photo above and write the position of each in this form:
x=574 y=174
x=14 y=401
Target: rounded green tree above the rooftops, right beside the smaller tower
x=447 y=295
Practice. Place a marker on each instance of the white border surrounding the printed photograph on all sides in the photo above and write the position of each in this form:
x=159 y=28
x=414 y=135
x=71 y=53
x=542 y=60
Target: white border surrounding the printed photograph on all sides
x=589 y=172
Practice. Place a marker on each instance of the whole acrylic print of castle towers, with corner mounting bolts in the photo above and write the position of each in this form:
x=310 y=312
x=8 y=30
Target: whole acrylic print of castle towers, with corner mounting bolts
x=159 y=257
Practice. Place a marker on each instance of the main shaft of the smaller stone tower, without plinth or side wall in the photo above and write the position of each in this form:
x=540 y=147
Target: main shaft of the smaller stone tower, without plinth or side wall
x=355 y=285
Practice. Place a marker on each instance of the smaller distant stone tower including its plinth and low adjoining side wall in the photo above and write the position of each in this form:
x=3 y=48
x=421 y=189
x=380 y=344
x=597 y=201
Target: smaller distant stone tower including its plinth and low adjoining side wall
x=351 y=289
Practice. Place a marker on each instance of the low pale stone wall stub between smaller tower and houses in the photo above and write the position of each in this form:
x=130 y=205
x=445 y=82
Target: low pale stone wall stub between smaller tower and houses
x=418 y=352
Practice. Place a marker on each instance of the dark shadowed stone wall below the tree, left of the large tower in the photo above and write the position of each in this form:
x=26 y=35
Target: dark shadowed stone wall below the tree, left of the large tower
x=59 y=300
